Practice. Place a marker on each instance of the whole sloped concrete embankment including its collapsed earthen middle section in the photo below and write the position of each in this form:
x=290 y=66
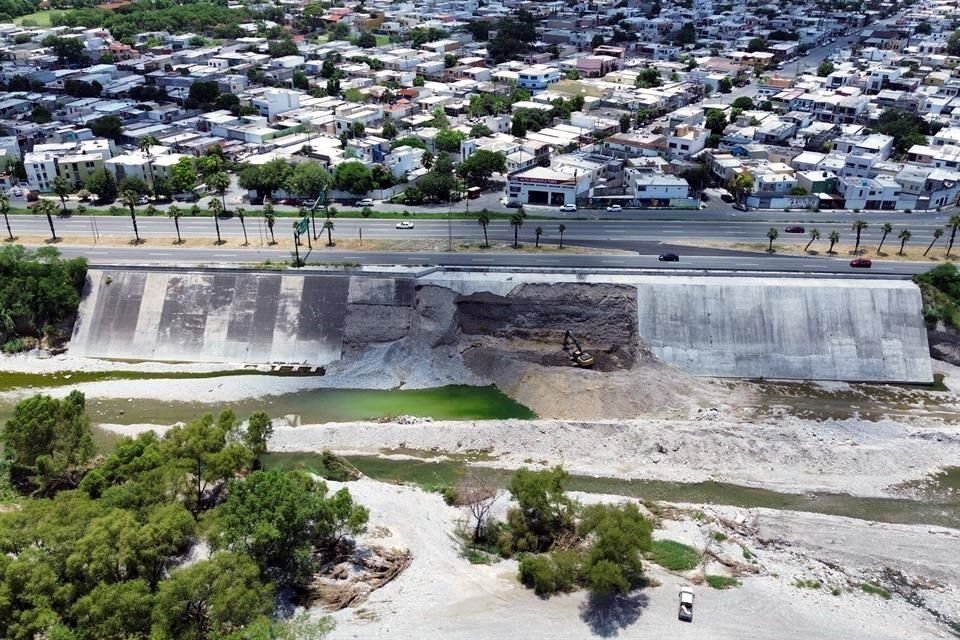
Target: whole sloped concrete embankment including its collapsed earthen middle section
x=856 y=330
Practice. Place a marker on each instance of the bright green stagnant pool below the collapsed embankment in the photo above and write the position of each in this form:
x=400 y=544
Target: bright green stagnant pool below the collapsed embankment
x=458 y=402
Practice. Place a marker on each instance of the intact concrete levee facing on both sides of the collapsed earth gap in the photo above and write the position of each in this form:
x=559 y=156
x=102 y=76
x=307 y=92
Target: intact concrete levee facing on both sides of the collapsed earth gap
x=817 y=329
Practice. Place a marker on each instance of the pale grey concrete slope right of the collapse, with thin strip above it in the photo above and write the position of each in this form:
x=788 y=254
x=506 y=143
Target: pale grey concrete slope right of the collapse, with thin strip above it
x=778 y=328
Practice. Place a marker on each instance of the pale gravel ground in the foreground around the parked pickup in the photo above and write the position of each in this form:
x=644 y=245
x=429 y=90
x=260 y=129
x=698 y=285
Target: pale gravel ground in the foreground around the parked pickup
x=442 y=595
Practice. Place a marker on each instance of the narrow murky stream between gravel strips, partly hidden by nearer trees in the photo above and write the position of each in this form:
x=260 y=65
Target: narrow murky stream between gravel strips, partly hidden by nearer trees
x=432 y=474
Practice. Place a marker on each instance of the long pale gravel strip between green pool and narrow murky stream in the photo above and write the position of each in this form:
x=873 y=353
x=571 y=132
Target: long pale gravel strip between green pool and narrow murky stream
x=793 y=455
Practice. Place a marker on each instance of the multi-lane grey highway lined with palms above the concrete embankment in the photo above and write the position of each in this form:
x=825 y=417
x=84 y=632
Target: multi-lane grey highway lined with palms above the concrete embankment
x=644 y=240
